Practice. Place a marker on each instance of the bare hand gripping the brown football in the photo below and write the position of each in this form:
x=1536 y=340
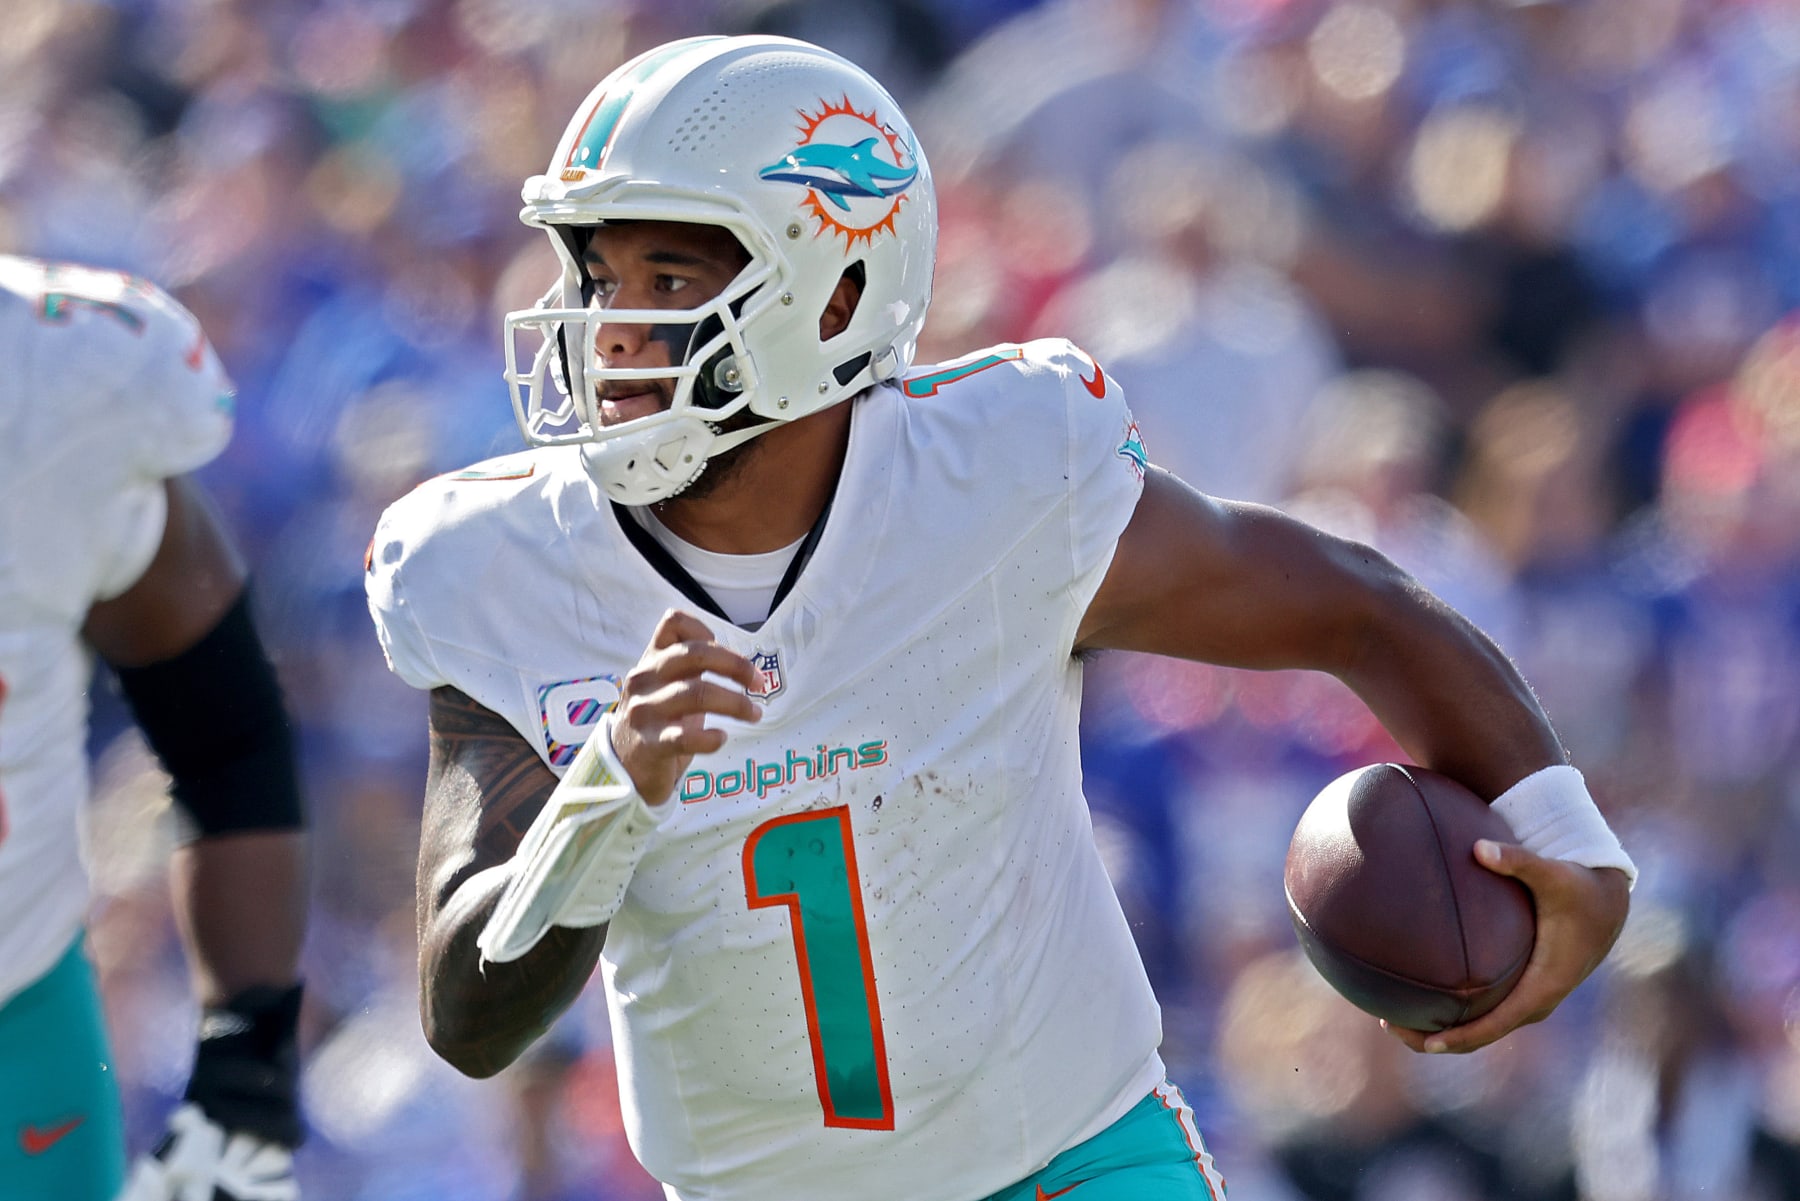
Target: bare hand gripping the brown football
x=1579 y=916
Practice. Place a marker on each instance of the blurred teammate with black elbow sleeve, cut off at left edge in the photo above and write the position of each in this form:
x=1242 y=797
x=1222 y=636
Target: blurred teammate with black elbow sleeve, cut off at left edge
x=111 y=395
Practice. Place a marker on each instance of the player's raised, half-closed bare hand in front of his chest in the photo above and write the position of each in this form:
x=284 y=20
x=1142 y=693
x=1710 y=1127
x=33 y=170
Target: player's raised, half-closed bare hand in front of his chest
x=660 y=723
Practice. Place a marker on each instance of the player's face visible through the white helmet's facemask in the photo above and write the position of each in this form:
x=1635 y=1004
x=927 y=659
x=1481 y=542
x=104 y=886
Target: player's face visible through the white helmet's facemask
x=652 y=266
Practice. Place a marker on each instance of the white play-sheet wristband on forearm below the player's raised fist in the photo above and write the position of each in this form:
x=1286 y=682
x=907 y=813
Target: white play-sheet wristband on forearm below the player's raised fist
x=579 y=856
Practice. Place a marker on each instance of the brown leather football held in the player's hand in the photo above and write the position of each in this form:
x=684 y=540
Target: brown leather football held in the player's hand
x=1394 y=908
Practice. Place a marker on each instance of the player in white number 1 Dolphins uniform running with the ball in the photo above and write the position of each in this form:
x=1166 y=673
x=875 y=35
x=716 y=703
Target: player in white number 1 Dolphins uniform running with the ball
x=800 y=628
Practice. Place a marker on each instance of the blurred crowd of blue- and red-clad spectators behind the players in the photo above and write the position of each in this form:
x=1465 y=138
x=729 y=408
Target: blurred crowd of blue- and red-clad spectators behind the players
x=1507 y=289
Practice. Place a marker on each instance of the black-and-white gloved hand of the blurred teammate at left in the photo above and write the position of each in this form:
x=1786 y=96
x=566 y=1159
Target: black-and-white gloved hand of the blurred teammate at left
x=233 y=1135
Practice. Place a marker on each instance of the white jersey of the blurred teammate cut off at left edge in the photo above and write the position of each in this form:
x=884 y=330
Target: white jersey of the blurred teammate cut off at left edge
x=107 y=390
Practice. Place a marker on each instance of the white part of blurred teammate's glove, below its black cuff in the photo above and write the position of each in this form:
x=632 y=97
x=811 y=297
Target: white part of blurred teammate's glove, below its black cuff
x=204 y=1162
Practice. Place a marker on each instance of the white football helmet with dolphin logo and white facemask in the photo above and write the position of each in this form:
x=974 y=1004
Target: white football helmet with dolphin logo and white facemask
x=811 y=165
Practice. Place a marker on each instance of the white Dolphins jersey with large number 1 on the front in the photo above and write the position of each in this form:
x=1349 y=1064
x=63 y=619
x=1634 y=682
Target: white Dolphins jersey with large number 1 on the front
x=872 y=950
